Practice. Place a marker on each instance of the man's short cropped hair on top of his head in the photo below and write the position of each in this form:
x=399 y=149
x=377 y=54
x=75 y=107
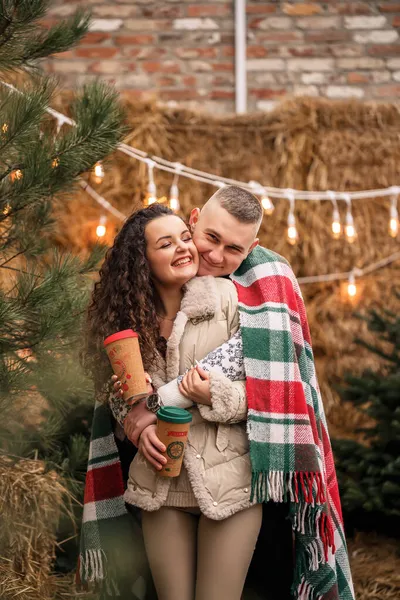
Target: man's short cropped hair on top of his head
x=239 y=203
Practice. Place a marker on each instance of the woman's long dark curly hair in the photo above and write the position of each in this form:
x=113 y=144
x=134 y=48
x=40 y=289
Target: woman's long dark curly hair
x=124 y=297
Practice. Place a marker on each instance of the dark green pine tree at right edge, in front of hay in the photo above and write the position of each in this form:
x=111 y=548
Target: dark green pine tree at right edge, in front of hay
x=369 y=472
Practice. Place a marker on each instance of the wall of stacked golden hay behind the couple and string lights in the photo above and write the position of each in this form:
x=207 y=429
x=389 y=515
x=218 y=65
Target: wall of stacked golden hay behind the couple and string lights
x=305 y=144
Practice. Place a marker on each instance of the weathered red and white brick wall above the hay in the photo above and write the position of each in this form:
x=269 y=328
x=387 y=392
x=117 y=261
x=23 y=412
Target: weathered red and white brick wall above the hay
x=183 y=51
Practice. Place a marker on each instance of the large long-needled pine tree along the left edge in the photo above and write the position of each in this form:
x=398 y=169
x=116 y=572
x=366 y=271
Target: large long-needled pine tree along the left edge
x=45 y=400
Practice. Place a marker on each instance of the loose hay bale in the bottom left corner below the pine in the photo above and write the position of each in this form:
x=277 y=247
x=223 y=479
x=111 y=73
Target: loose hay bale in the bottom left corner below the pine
x=30 y=505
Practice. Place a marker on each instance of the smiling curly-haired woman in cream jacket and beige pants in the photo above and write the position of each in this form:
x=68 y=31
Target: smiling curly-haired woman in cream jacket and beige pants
x=200 y=529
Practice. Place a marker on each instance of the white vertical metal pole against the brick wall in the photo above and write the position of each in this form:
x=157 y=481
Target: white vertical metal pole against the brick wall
x=240 y=56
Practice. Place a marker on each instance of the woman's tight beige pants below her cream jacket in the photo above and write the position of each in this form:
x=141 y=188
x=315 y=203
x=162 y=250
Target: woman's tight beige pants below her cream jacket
x=194 y=558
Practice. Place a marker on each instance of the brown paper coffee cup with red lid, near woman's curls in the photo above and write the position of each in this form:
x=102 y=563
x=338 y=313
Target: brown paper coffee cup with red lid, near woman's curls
x=123 y=351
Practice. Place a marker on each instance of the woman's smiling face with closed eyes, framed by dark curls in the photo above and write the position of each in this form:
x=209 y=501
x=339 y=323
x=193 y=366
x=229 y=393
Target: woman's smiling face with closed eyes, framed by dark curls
x=170 y=251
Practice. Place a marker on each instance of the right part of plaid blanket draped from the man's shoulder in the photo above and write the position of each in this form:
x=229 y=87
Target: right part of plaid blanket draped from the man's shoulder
x=290 y=450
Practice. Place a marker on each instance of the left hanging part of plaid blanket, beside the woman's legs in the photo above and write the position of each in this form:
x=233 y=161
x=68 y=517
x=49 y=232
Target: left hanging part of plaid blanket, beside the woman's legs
x=111 y=555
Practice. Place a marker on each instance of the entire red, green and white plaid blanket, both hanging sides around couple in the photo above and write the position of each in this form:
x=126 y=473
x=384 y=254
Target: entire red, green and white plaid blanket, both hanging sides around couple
x=289 y=445
